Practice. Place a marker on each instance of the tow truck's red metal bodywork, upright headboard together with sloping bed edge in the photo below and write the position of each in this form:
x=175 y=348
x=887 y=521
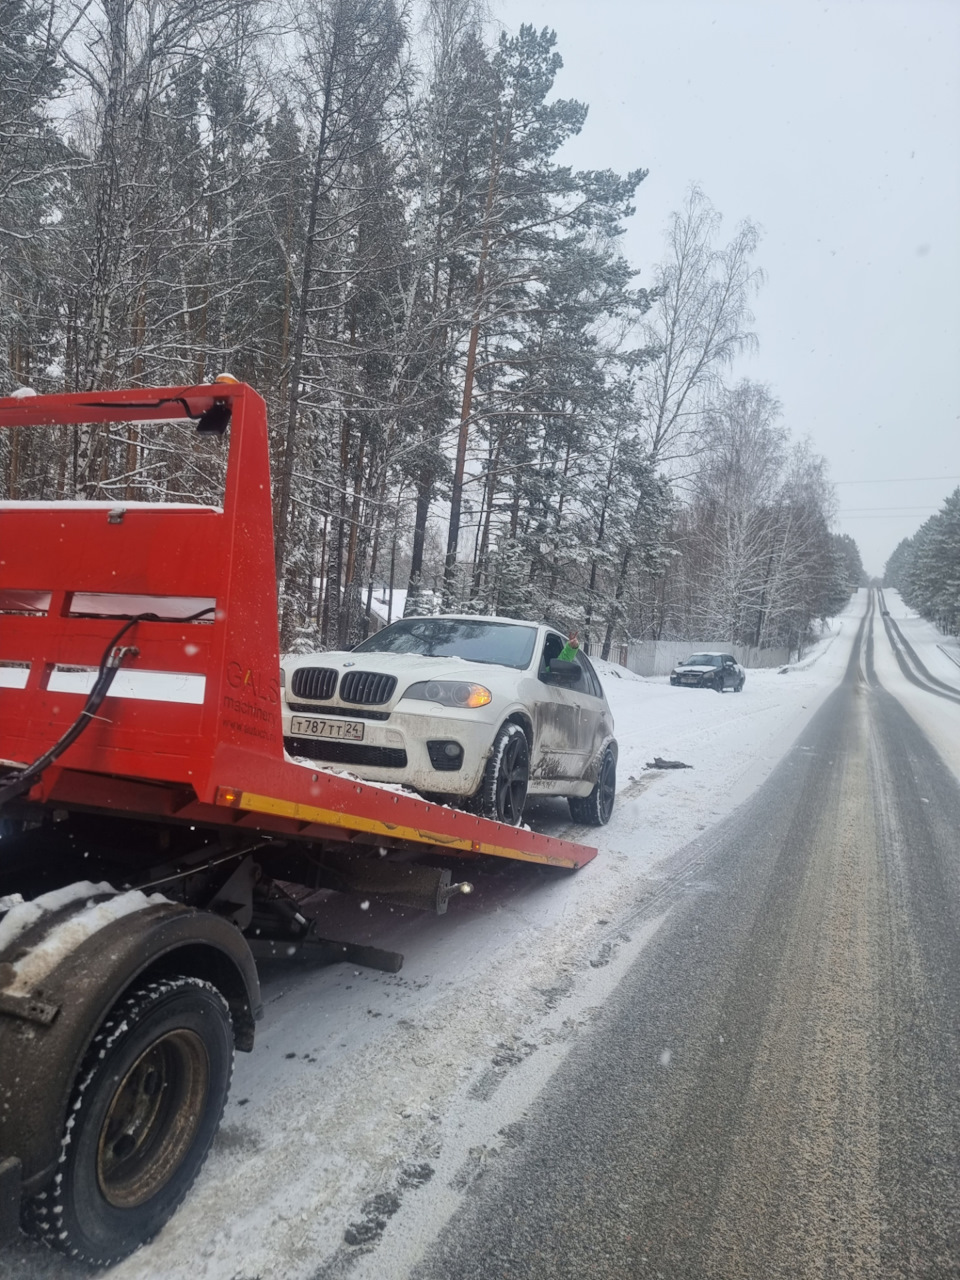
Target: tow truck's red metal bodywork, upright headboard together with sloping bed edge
x=232 y=744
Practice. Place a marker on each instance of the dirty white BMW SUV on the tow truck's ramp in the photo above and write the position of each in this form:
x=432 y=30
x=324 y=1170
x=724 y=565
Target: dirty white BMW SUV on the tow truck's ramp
x=465 y=708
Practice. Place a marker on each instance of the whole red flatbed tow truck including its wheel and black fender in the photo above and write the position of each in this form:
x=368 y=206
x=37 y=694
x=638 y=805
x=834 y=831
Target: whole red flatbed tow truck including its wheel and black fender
x=153 y=833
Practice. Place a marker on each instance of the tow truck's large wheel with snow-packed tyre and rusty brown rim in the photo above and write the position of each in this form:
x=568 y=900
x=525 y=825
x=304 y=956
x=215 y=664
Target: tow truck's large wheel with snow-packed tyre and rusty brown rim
x=145 y=1109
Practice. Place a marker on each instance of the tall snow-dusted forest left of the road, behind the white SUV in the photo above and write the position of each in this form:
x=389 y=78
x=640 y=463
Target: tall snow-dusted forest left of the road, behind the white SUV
x=359 y=208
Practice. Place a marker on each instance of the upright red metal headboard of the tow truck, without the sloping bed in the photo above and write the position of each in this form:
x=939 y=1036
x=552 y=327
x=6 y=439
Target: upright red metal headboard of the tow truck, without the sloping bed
x=157 y=551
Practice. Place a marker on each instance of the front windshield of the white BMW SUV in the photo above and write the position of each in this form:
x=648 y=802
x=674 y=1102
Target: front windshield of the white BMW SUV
x=502 y=643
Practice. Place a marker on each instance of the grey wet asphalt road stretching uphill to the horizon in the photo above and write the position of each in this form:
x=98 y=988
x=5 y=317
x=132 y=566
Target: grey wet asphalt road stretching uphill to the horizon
x=774 y=1090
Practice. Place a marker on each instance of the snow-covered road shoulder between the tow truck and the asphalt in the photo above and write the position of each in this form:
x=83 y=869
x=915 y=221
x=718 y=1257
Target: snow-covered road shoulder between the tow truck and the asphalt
x=373 y=1100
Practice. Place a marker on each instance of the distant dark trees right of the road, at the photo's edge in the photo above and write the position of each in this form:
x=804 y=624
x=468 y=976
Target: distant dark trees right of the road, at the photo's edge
x=926 y=569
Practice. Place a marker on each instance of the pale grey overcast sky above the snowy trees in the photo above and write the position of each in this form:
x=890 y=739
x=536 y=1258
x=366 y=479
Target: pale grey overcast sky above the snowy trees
x=836 y=129
